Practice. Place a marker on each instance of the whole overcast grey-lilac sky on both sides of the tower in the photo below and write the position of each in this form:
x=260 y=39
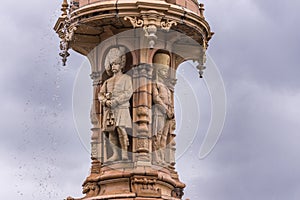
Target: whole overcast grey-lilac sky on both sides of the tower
x=256 y=48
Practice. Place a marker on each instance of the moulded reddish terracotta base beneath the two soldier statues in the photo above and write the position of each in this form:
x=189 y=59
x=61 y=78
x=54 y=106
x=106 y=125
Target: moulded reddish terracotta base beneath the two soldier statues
x=120 y=181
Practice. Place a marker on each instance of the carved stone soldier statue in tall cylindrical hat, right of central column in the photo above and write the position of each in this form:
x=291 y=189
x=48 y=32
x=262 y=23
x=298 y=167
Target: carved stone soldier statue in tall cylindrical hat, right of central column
x=163 y=109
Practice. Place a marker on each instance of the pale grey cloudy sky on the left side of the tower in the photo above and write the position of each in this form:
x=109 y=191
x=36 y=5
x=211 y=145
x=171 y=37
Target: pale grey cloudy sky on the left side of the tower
x=38 y=139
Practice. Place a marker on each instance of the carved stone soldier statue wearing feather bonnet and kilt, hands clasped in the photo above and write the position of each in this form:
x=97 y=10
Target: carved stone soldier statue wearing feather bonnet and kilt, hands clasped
x=114 y=96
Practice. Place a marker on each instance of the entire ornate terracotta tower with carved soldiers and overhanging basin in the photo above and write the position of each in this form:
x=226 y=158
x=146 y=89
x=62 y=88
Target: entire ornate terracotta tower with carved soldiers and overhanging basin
x=134 y=49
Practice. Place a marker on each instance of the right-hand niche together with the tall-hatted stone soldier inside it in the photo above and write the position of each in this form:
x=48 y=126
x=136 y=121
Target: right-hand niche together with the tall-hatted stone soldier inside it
x=164 y=119
